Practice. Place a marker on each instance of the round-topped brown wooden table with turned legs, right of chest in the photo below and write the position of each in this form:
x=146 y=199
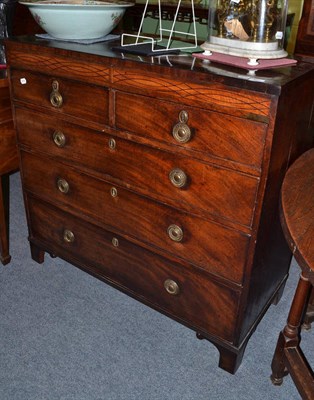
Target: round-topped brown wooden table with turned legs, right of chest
x=297 y=220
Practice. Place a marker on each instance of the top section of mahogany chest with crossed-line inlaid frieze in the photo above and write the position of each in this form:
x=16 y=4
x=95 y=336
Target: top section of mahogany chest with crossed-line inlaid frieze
x=226 y=89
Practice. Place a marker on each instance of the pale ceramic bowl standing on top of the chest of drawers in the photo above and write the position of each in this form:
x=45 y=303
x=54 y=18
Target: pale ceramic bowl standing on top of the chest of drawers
x=77 y=19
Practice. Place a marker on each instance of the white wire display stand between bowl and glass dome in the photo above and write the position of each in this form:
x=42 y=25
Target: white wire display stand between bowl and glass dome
x=139 y=38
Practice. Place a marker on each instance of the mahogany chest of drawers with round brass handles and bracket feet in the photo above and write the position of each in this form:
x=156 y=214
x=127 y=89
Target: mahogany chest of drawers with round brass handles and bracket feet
x=161 y=177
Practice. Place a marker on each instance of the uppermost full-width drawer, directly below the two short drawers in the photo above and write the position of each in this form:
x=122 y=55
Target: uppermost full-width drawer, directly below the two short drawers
x=179 y=181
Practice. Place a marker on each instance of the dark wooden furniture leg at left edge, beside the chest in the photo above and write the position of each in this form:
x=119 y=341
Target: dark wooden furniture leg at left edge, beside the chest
x=4 y=219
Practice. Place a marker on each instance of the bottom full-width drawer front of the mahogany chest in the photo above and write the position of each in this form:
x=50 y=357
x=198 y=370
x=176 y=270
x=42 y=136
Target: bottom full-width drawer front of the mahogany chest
x=200 y=302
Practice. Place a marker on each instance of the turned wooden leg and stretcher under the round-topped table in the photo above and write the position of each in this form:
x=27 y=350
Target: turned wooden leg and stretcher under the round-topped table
x=288 y=356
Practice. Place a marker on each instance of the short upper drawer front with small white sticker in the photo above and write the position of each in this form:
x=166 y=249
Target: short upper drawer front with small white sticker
x=62 y=95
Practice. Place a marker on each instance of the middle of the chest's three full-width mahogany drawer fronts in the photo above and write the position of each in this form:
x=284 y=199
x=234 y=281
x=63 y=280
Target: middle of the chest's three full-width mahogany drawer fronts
x=216 y=249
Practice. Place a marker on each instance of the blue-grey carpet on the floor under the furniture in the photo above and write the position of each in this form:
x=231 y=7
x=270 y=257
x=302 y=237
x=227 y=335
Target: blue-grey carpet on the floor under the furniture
x=65 y=335
